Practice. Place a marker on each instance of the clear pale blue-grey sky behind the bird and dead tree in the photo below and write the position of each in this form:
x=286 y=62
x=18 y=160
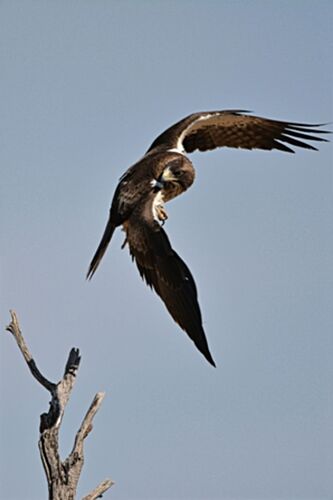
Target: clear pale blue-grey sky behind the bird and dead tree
x=85 y=88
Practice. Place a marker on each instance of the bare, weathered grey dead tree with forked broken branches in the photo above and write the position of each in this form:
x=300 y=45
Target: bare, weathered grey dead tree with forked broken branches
x=62 y=476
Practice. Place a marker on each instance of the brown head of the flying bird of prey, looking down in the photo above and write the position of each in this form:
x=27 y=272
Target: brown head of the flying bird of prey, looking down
x=177 y=176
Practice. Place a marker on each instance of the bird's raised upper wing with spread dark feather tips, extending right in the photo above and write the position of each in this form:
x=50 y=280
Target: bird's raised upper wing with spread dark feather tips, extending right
x=235 y=129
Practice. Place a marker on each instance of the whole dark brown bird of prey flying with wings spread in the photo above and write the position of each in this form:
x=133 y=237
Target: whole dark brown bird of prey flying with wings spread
x=165 y=172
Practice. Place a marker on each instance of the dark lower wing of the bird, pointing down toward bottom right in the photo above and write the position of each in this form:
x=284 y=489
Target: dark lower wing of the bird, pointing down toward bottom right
x=164 y=271
